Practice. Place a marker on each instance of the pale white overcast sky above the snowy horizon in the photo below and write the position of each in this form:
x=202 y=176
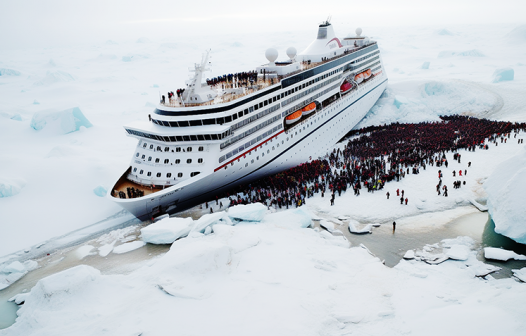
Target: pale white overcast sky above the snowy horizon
x=43 y=22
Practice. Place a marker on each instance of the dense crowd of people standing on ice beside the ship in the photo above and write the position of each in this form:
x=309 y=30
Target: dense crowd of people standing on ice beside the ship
x=376 y=155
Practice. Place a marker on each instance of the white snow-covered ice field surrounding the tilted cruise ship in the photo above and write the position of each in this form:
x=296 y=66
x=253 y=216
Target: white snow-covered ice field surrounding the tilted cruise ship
x=275 y=277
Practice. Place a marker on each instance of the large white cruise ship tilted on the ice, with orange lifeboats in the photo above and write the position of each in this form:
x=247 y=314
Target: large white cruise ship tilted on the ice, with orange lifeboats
x=221 y=132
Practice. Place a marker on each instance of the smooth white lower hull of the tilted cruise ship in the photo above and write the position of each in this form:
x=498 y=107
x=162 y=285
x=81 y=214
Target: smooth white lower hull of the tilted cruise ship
x=306 y=140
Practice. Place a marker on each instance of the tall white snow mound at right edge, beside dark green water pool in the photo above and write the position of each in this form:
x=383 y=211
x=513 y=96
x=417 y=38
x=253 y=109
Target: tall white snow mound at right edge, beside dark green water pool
x=505 y=188
